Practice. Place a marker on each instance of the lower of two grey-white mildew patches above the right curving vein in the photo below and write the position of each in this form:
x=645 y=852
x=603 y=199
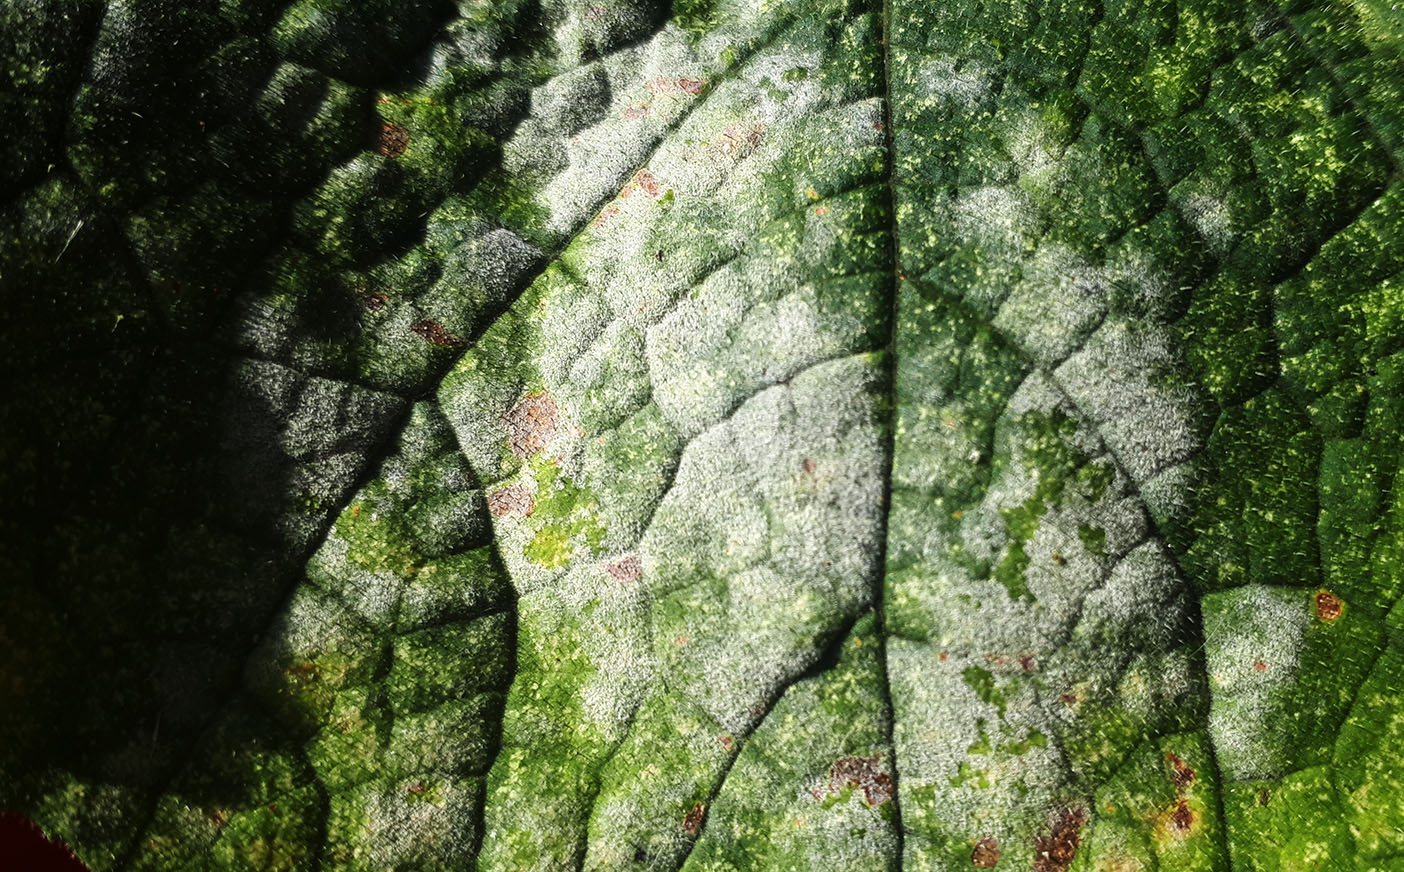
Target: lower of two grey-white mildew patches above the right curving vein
x=1124 y=380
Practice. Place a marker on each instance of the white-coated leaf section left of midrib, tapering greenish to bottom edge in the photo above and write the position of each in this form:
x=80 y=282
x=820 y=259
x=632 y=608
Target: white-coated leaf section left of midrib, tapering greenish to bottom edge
x=759 y=557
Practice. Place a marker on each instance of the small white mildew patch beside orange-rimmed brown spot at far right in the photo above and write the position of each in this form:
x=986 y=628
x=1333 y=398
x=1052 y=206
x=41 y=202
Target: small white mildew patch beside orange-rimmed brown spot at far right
x=1245 y=628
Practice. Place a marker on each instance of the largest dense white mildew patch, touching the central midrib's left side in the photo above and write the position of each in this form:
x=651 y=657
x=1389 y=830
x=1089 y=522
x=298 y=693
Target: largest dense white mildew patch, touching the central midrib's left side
x=781 y=506
